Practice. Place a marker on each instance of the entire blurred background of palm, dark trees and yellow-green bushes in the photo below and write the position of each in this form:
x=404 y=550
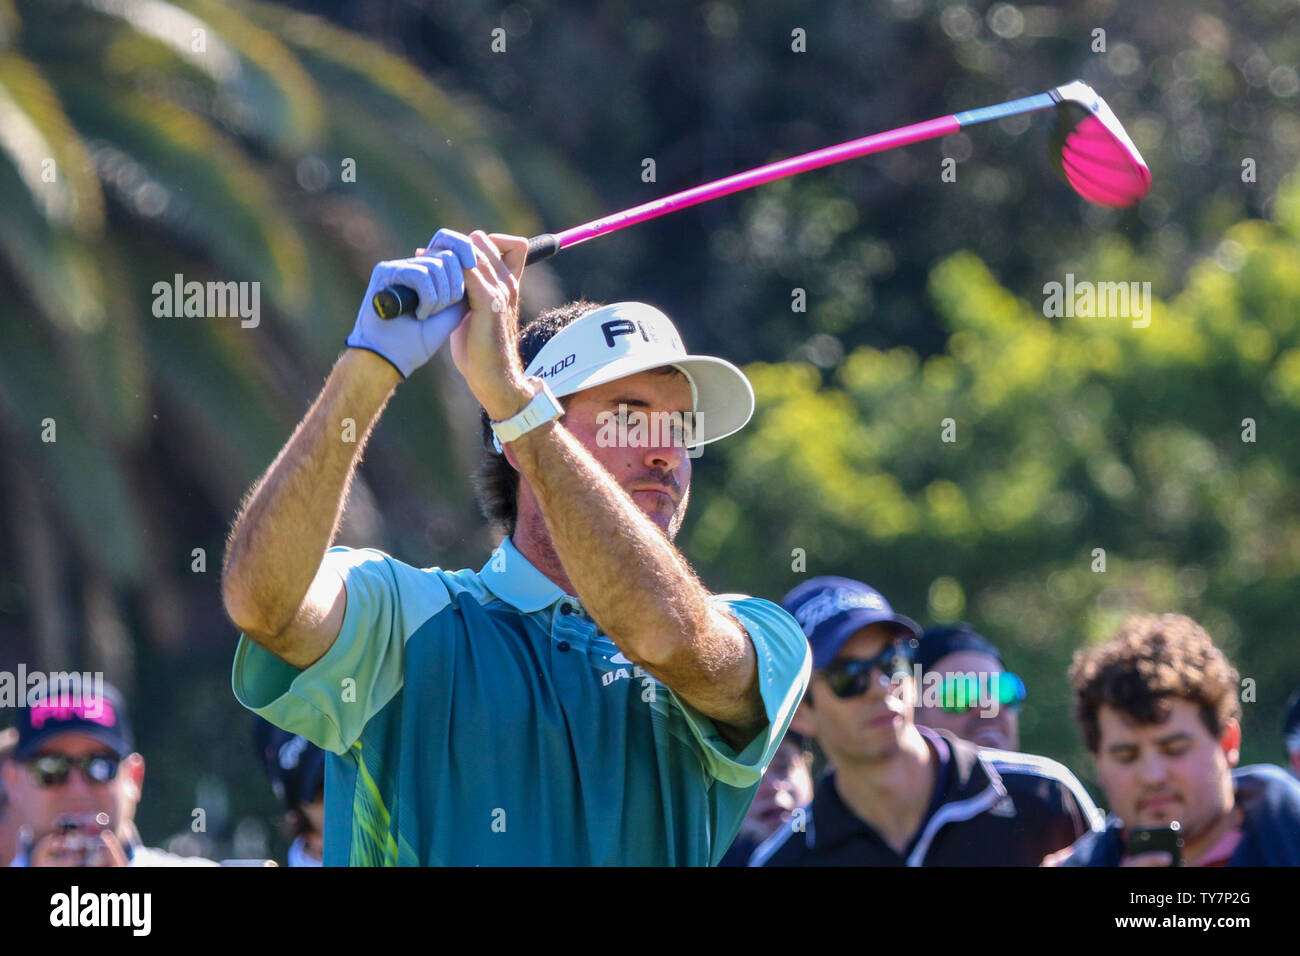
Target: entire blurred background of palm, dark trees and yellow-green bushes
x=925 y=302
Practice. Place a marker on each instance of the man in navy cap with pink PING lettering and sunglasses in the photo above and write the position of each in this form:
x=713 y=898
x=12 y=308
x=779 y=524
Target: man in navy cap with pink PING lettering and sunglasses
x=75 y=784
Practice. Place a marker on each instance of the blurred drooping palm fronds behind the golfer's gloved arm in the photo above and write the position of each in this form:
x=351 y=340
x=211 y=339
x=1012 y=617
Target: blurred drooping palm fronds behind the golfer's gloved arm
x=222 y=144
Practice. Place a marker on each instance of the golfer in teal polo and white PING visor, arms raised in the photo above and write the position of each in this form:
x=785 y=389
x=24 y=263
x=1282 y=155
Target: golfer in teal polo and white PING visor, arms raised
x=583 y=699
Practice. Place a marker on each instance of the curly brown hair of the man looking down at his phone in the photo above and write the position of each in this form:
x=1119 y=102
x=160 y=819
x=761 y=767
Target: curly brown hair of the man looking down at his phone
x=1152 y=660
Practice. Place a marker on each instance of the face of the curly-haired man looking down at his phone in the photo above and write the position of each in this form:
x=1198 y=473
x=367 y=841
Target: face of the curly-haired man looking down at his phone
x=1172 y=771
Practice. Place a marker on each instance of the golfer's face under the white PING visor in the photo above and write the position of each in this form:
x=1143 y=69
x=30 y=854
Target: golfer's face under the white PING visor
x=652 y=466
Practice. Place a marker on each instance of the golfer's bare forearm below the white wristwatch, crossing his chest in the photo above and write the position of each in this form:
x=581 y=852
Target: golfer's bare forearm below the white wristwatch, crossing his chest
x=635 y=583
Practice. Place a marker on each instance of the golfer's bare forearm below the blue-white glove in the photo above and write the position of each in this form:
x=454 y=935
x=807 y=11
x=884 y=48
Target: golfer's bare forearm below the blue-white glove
x=291 y=517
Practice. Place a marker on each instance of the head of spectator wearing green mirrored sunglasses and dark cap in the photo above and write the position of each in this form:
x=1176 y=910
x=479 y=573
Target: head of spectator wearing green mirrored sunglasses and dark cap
x=974 y=695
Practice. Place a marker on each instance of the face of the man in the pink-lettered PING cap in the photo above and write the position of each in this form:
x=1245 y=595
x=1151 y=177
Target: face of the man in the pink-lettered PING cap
x=40 y=807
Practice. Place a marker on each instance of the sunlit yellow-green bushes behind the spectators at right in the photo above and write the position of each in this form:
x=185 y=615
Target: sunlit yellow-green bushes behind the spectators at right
x=1171 y=447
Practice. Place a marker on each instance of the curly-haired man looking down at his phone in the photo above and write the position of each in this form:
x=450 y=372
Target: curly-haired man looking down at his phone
x=1159 y=711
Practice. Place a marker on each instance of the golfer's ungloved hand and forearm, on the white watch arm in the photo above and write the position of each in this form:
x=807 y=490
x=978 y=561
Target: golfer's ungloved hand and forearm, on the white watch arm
x=626 y=572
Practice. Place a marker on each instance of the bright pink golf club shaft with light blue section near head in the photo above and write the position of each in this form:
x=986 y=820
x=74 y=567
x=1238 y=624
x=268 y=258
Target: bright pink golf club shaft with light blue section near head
x=401 y=300
